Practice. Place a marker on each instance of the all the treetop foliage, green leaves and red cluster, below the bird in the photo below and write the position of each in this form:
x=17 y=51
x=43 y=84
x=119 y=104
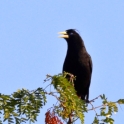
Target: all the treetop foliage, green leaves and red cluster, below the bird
x=24 y=105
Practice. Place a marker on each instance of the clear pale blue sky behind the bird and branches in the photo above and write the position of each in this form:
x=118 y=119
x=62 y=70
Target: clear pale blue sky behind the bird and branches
x=30 y=47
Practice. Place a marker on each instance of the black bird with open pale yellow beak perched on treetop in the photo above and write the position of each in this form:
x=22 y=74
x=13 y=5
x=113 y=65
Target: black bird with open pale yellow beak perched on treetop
x=78 y=62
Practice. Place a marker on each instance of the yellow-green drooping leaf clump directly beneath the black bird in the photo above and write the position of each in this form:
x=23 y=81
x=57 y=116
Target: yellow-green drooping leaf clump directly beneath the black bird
x=69 y=103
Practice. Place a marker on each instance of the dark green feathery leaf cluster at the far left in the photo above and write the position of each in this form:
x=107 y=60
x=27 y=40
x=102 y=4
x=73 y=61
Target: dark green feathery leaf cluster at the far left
x=22 y=105
